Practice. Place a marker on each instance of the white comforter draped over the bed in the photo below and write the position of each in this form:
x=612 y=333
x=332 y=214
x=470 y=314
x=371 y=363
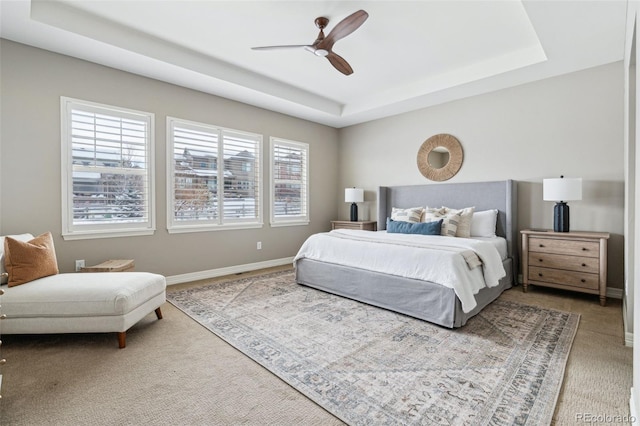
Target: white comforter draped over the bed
x=411 y=256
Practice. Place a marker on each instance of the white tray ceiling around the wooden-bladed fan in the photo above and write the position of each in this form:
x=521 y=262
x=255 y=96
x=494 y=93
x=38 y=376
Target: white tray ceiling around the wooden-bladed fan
x=407 y=55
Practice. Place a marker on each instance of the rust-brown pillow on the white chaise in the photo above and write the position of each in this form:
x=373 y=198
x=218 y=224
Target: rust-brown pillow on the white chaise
x=28 y=261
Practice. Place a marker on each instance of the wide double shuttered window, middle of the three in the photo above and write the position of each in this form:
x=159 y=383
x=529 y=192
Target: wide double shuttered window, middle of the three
x=214 y=179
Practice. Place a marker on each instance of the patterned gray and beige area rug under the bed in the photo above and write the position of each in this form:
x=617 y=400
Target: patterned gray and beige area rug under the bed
x=367 y=365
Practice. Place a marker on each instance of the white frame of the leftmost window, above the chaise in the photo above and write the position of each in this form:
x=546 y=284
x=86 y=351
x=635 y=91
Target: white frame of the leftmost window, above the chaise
x=73 y=231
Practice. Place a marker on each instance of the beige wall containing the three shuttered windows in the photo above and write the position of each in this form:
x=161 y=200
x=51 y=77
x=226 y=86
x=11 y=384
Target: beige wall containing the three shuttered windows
x=32 y=81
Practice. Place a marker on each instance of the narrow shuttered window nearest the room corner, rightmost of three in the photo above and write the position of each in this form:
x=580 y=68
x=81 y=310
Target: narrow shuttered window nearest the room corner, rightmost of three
x=289 y=182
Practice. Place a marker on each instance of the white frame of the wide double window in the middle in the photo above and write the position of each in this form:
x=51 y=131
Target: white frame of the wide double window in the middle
x=219 y=224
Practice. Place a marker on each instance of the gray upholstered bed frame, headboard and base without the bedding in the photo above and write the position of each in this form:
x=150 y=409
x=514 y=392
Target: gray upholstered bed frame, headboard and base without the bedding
x=421 y=298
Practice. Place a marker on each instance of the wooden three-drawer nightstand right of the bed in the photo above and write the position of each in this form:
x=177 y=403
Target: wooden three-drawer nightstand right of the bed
x=567 y=260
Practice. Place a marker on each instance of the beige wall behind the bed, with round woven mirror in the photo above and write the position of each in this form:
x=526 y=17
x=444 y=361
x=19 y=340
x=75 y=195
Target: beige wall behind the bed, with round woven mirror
x=570 y=125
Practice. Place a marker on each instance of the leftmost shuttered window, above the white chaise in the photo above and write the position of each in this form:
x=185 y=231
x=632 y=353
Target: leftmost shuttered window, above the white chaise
x=107 y=171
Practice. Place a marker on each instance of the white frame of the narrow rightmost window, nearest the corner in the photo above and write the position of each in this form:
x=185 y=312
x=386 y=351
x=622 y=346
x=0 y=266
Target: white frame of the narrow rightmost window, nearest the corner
x=299 y=220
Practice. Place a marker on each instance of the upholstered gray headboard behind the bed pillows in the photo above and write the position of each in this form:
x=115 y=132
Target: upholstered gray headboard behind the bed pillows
x=501 y=195
